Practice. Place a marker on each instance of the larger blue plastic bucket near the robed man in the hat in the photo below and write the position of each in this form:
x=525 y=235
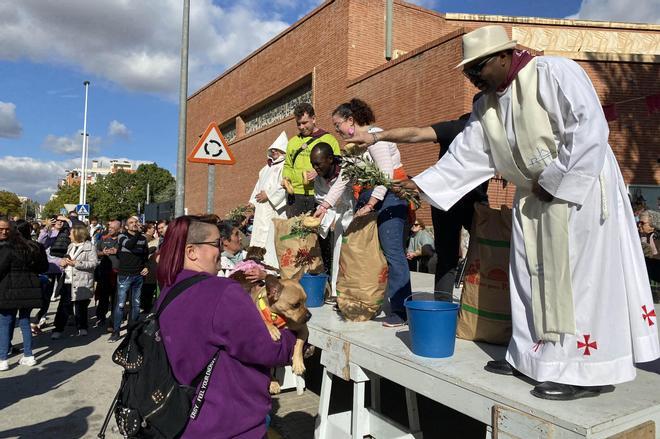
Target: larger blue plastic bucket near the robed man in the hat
x=432 y=327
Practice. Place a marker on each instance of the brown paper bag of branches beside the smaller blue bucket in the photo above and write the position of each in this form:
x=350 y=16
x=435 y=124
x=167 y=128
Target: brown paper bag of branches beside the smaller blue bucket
x=288 y=245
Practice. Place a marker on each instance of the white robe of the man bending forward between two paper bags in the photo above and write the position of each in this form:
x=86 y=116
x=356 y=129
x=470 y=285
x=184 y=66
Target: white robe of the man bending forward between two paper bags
x=339 y=216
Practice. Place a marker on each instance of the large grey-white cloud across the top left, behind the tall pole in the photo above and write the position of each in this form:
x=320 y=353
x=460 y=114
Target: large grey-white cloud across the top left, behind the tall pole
x=135 y=44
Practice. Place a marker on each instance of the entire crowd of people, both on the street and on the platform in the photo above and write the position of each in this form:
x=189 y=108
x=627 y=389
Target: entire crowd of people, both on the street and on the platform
x=564 y=291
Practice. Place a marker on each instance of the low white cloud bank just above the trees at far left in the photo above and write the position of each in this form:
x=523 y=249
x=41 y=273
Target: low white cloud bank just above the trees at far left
x=37 y=179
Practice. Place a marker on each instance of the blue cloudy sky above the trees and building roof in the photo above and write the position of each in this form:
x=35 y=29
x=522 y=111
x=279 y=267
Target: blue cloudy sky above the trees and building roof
x=129 y=50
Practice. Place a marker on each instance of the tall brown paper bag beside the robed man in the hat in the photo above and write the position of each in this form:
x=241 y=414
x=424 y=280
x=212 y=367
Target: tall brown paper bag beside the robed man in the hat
x=485 y=313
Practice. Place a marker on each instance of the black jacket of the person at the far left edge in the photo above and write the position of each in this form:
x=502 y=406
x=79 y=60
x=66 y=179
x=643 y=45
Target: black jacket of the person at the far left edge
x=20 y=286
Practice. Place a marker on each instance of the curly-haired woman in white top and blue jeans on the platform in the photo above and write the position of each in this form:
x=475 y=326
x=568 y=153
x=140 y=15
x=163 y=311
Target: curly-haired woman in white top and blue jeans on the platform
x=350 y=118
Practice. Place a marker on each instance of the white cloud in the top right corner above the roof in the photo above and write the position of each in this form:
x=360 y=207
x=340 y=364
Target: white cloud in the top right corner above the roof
x=634 y=11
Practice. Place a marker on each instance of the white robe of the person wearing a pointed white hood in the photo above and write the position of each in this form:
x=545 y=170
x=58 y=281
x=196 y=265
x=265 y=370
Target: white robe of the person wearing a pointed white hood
x=263 y=229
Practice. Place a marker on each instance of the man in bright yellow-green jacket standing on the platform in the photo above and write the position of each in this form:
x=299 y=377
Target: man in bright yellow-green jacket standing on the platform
x=297 y=167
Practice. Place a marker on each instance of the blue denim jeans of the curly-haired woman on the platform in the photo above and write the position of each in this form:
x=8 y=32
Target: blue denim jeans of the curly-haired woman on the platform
x=392 y=226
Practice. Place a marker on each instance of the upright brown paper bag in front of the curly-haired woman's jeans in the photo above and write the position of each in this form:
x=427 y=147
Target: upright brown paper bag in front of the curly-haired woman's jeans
x=362 y=275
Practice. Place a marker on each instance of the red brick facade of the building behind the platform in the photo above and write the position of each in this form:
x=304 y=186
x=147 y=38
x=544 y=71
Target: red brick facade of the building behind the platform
x=340 y=46
